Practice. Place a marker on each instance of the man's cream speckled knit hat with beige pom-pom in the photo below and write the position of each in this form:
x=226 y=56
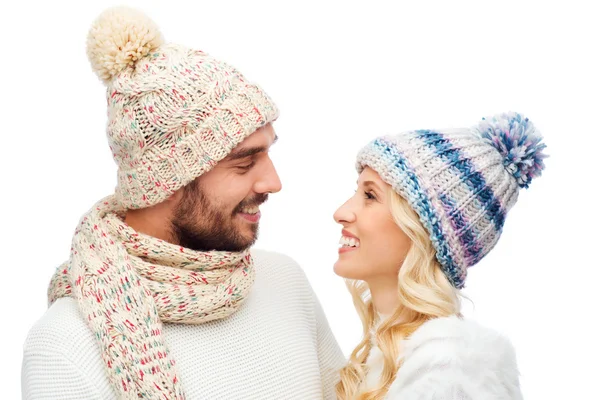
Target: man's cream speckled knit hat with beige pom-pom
x=173 y=112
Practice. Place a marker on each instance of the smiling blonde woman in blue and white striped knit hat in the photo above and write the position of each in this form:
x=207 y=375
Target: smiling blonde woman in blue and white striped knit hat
x=429 y=205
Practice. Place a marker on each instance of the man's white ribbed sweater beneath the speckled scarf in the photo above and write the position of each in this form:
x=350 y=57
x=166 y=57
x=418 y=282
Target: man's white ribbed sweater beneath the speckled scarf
x=278 y=345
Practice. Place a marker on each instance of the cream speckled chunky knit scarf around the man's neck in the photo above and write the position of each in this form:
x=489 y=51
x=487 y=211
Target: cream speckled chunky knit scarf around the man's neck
x=127 y=284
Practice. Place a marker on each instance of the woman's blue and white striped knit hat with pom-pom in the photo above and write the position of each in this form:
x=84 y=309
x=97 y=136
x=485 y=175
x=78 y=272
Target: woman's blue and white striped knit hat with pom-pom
x=461 y=182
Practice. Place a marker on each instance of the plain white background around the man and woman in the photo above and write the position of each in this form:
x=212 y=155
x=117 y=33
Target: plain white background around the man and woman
x=341 y=73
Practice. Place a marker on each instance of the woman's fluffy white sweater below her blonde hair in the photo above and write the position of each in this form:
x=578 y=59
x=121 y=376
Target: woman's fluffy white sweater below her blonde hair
x=452 y=359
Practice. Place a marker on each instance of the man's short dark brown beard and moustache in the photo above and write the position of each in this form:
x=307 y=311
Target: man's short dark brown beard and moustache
x=200 y=225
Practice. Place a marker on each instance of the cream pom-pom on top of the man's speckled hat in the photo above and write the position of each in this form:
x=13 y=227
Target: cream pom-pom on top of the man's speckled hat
x=118 y=38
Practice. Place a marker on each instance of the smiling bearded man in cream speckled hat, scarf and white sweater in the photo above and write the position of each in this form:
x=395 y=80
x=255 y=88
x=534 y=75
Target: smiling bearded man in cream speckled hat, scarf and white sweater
x=161 y=297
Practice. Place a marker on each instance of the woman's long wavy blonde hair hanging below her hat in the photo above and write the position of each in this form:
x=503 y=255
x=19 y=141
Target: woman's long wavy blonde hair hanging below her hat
x=424 y=293
